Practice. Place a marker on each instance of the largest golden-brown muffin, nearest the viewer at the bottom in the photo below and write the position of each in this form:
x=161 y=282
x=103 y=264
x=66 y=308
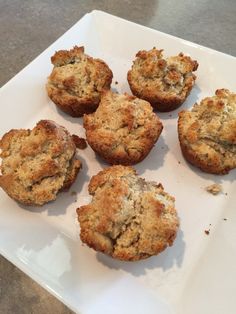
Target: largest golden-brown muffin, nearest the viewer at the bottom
x=128 y=218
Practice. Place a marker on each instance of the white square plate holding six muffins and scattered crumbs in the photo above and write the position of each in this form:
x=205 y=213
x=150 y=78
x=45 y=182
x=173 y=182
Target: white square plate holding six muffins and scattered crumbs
x=197 y=274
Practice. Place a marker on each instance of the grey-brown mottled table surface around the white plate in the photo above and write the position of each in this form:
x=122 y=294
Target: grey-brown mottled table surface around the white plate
x=29 y=27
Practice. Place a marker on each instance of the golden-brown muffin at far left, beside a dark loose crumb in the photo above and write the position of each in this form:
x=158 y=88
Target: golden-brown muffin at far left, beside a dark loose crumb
x=37 y=164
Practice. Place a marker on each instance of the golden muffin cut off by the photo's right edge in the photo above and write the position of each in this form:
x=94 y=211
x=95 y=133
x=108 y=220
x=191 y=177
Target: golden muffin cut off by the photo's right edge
x=207 y=133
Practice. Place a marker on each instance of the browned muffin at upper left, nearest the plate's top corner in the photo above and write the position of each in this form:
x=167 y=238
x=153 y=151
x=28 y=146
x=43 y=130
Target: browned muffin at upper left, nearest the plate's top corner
x=77 y=80
